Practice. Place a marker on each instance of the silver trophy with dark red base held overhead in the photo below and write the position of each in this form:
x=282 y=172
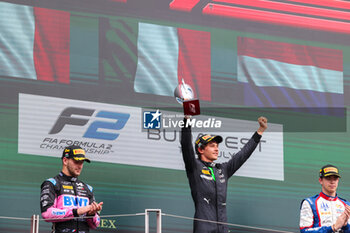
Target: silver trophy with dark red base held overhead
x=184 y=95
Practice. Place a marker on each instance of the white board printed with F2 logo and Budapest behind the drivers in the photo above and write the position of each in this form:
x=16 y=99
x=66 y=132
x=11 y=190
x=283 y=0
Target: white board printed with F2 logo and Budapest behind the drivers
x=112 y=133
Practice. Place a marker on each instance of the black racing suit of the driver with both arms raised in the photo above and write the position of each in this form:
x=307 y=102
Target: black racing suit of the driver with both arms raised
x=209 y=195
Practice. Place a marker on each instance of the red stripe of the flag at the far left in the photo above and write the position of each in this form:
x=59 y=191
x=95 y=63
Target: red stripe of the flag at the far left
x=51 y=45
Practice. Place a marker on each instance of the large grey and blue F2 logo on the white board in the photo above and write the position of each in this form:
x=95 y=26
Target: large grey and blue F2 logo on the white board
x=66 y=118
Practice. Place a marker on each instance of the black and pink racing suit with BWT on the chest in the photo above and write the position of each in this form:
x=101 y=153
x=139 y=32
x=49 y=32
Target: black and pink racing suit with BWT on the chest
x=60 y=197
